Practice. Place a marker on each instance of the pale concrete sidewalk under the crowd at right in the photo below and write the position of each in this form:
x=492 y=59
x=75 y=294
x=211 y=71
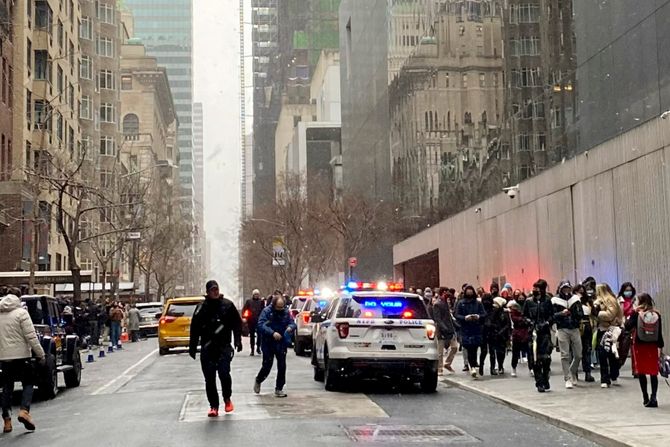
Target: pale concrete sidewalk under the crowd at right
x=611 y=417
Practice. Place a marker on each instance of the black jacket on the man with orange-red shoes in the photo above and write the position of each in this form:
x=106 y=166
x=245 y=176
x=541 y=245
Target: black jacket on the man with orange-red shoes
x=212 y=324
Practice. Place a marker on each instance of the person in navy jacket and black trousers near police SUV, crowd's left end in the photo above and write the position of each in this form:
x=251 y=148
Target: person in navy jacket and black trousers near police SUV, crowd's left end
x=470 y=315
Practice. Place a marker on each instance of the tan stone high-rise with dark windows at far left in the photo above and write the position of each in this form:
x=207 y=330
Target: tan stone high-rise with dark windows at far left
x=44 y=104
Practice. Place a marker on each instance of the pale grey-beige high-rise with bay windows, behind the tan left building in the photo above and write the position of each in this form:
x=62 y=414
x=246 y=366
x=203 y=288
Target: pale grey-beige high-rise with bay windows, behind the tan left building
x=101 y=36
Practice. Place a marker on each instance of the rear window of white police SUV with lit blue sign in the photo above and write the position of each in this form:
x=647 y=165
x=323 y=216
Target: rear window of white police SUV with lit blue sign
x=390 y=307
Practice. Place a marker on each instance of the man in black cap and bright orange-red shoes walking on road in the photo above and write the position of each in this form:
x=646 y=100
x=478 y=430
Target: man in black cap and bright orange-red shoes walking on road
x=212 y=324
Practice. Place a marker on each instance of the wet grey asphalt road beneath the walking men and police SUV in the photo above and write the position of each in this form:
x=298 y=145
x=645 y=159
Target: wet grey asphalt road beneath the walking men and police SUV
x=136 y=398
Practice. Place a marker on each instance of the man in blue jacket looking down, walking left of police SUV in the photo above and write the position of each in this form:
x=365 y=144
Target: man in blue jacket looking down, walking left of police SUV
x=275 y=327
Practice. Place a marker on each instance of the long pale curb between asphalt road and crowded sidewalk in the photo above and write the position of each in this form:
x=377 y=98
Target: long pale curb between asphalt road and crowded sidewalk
x=579 y=430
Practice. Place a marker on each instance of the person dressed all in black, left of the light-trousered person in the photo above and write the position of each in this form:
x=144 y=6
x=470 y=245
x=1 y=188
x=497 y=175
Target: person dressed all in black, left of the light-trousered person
x=539 y=312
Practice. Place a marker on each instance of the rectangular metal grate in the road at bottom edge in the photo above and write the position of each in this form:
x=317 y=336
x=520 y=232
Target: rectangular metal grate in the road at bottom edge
x=414 y=434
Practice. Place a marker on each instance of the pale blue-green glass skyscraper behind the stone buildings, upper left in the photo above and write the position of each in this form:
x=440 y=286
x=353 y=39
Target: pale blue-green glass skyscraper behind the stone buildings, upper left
x=166 y=29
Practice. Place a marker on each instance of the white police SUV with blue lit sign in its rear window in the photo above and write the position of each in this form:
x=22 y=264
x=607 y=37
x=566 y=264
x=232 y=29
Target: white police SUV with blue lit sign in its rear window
x=370 y=330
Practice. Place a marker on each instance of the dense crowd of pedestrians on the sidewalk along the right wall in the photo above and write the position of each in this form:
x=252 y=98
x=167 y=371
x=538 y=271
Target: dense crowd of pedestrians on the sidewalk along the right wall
x=587 y=323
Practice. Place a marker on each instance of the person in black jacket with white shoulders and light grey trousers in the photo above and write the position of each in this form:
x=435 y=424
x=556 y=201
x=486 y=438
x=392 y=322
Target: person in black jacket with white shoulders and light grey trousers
x=568 y=314
